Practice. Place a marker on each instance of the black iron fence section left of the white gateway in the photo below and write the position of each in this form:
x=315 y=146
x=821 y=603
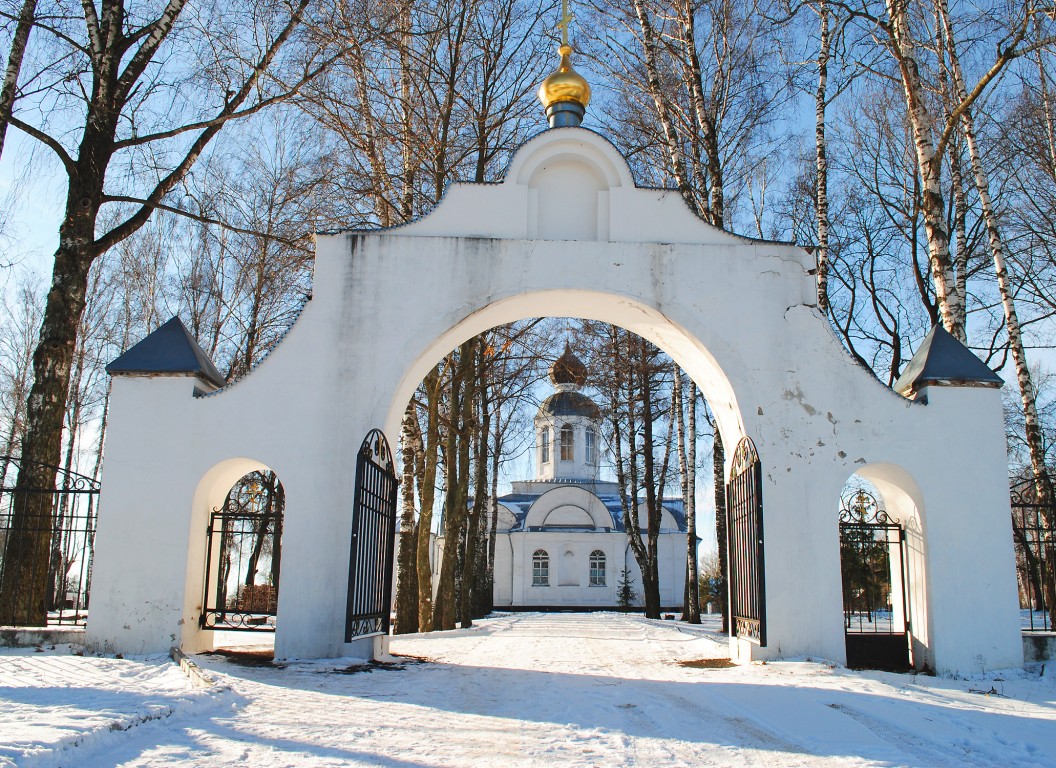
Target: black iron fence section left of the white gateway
x=47 y=544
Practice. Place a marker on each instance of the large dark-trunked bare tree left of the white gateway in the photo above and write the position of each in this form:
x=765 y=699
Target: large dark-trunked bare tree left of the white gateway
x=127 y=82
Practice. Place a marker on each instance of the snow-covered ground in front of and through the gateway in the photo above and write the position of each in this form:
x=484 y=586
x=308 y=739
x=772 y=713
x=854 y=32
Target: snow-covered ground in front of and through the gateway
x=520 y=690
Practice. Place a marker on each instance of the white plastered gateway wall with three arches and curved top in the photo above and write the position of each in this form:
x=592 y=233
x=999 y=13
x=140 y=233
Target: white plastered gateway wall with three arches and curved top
x=568 y=233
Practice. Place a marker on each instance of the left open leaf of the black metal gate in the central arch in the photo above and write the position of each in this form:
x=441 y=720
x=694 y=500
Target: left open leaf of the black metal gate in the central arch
x=373 y=540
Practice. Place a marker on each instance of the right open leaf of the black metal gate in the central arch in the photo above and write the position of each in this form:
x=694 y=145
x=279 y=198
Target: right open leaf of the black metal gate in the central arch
x=748 y=609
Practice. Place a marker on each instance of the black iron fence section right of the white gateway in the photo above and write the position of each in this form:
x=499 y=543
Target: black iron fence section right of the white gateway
x=1034 y=536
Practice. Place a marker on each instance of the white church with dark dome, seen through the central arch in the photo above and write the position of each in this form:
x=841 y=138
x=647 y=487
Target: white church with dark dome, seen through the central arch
x=560 y=540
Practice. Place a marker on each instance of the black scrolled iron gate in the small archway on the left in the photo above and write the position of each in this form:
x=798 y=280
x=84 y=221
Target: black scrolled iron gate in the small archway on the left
x=243 y=557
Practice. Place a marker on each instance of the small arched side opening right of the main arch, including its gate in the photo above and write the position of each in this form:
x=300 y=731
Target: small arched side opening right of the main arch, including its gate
x=882 y=560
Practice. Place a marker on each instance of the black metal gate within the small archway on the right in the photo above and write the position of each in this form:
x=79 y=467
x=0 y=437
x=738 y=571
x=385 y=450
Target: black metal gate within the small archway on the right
x=875 y=576
